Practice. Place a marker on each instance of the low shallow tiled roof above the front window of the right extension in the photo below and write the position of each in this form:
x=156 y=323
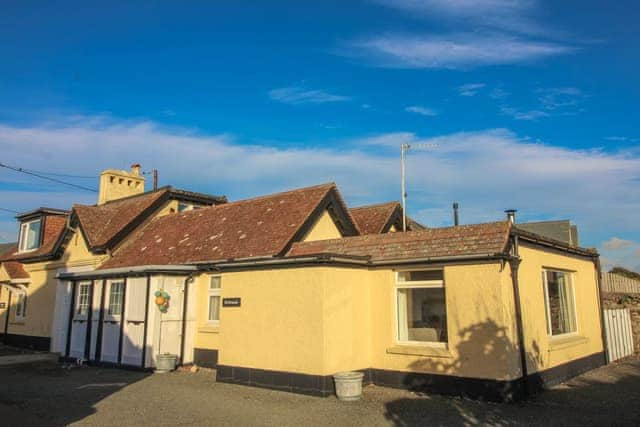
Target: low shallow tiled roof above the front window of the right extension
x=478 y=239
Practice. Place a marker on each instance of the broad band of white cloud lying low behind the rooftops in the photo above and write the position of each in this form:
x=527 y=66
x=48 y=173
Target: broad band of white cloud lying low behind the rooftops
x=486 y=171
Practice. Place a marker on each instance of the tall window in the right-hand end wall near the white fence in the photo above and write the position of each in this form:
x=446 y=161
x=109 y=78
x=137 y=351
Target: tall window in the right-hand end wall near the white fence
x=560 y=302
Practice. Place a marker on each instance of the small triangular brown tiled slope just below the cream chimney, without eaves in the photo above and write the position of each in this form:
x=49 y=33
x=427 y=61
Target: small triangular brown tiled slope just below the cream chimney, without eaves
x=102 y=223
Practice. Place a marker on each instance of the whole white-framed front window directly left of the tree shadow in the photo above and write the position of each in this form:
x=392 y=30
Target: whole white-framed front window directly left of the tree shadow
x=421 y=308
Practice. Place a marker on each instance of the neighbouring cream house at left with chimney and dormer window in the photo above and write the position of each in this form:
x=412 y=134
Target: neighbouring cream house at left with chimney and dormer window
x=52 y=241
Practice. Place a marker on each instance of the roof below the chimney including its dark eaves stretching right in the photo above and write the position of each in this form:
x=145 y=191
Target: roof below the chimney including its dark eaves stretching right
x=102 y=224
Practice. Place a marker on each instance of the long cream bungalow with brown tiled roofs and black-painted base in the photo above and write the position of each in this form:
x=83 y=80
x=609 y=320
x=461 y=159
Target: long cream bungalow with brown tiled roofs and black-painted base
x=285 y=290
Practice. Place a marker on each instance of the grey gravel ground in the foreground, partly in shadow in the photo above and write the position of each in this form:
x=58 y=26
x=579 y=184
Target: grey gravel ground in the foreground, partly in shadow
x=53 y=395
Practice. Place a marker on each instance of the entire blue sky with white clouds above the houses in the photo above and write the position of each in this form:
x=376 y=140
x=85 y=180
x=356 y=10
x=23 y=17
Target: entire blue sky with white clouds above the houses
x=533 y=104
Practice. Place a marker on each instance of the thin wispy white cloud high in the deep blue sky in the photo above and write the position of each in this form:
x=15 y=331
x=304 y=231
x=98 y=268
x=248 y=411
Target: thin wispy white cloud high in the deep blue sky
x=454 y=51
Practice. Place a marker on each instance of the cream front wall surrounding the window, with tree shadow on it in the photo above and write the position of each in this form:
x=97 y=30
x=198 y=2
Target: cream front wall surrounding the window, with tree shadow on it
x=481 y=329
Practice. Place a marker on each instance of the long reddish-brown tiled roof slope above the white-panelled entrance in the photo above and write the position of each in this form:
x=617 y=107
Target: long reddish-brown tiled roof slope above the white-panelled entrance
x=263 y=226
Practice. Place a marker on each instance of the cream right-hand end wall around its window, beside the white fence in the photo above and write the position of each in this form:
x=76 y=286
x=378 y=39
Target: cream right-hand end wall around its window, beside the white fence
x=547 y=352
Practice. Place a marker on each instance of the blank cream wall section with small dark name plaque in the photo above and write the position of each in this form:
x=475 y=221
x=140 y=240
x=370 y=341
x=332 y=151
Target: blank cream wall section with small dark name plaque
x=279 y=325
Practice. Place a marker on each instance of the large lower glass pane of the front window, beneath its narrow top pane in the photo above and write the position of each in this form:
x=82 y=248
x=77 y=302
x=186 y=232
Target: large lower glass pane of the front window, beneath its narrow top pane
x=422 y=315
